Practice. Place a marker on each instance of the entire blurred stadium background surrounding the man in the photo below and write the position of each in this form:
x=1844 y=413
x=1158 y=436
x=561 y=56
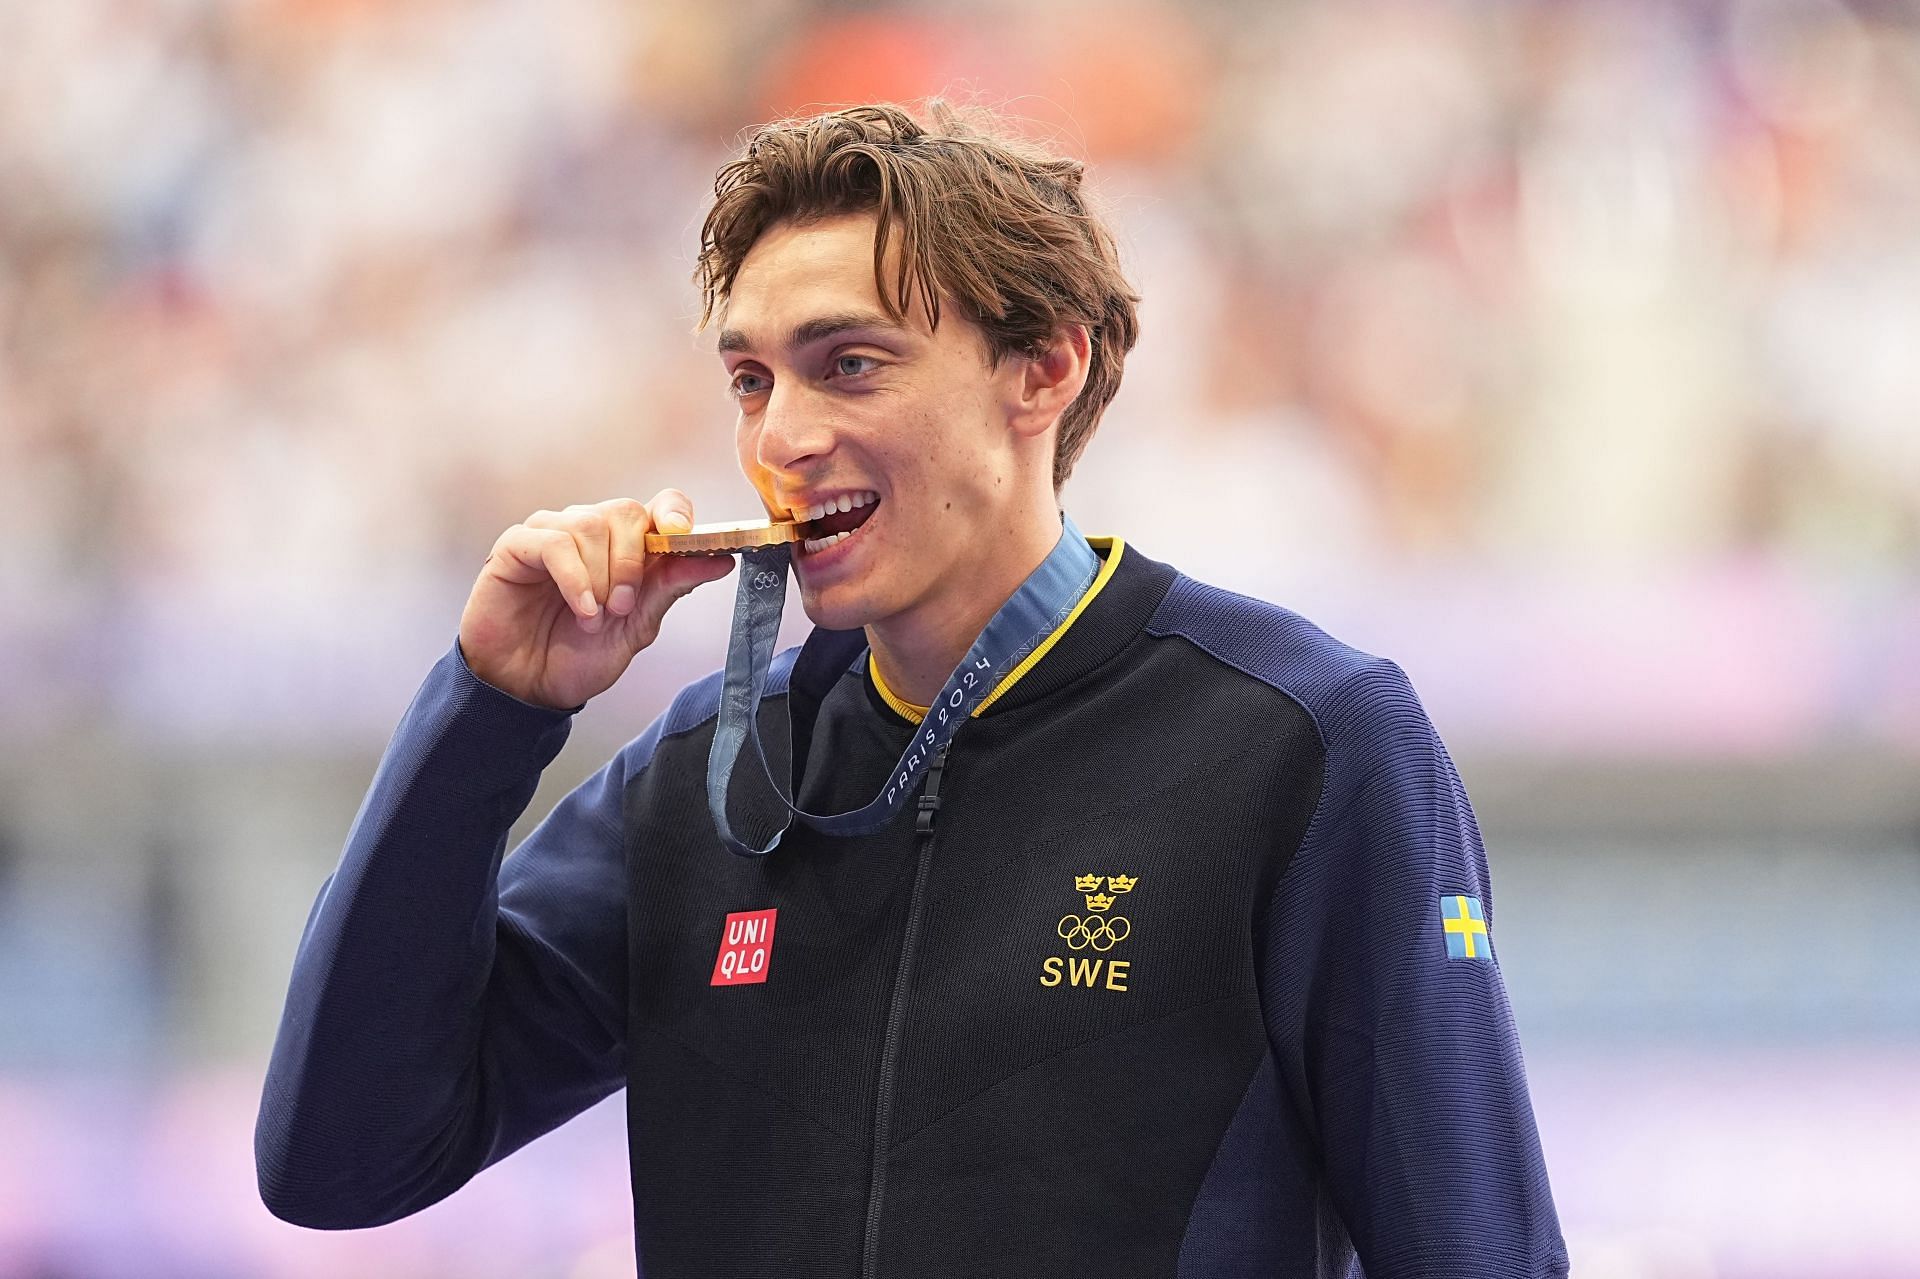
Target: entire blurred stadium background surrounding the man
x=1568 y=352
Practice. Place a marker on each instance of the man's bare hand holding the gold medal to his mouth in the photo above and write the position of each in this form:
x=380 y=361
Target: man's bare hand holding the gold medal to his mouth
x=569 y=598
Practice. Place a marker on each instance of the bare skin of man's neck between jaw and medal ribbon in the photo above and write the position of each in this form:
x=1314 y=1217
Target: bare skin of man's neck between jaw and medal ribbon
x=921 y=650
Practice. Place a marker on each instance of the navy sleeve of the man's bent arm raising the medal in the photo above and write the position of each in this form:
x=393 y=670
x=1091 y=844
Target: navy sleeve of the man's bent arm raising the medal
x=448 y=1005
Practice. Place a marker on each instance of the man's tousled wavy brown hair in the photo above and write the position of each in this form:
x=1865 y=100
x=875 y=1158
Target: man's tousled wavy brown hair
x=986 y=218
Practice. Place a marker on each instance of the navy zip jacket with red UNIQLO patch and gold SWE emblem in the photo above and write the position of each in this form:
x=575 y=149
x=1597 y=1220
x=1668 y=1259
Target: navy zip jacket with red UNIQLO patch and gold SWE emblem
x=1193 y=975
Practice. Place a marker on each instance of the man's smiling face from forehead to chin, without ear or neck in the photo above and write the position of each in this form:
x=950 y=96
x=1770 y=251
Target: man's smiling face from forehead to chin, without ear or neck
x=842 y=404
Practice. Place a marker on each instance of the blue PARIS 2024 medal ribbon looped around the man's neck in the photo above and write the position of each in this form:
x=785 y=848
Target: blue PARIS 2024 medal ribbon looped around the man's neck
x=1024 y=621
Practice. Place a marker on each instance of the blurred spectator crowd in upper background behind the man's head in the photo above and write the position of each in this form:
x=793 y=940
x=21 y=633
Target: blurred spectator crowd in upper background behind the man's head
x=304 y=301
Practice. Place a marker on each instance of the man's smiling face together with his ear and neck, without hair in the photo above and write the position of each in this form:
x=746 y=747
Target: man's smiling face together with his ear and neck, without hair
x=946 y=456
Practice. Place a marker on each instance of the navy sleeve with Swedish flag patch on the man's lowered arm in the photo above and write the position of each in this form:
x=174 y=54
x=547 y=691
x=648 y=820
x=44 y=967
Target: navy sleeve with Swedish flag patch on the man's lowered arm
x=1395 y=1042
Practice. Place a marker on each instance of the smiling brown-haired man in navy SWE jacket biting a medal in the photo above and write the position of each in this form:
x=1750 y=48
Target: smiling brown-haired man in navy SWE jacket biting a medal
x=1168 y=952
